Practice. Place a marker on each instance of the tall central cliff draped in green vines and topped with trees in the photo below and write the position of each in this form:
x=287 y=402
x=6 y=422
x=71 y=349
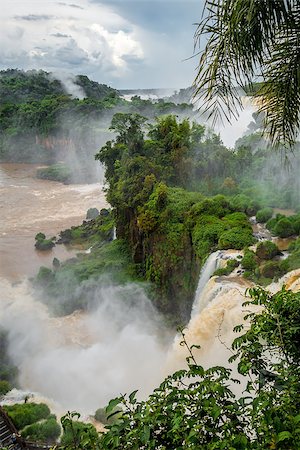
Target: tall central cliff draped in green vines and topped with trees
x=169 y=229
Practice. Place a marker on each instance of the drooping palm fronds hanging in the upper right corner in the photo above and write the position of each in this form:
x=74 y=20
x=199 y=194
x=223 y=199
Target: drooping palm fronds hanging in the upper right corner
x=249 y=39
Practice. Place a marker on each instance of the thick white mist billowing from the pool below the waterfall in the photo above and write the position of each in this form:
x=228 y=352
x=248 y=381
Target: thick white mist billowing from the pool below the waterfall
x=83 y=360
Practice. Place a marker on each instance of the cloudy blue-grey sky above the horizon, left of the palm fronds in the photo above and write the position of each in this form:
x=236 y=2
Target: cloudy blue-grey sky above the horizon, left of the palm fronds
x=126 y=44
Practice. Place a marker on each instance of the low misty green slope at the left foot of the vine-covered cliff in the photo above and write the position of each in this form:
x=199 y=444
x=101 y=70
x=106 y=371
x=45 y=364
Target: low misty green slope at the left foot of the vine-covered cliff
x=65 y=285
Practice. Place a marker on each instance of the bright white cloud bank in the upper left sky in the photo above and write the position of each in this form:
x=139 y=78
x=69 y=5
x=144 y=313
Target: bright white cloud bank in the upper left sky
x=79 y=37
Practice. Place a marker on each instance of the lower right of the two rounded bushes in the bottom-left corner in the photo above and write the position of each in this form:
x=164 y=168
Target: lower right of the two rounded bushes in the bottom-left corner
x=46 y=431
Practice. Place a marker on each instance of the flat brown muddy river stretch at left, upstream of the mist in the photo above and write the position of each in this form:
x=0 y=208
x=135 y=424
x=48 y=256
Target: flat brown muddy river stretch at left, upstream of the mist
x=29 y=205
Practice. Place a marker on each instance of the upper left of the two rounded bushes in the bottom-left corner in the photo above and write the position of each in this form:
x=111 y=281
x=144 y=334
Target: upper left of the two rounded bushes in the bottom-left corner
x=27 y=413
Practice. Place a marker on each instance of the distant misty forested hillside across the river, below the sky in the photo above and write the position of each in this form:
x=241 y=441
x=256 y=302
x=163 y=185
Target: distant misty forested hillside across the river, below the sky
x=40 y=122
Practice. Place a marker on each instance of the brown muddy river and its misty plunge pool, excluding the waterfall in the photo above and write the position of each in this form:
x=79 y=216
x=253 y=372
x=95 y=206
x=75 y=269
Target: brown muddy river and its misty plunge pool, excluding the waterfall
x=83 y=360
